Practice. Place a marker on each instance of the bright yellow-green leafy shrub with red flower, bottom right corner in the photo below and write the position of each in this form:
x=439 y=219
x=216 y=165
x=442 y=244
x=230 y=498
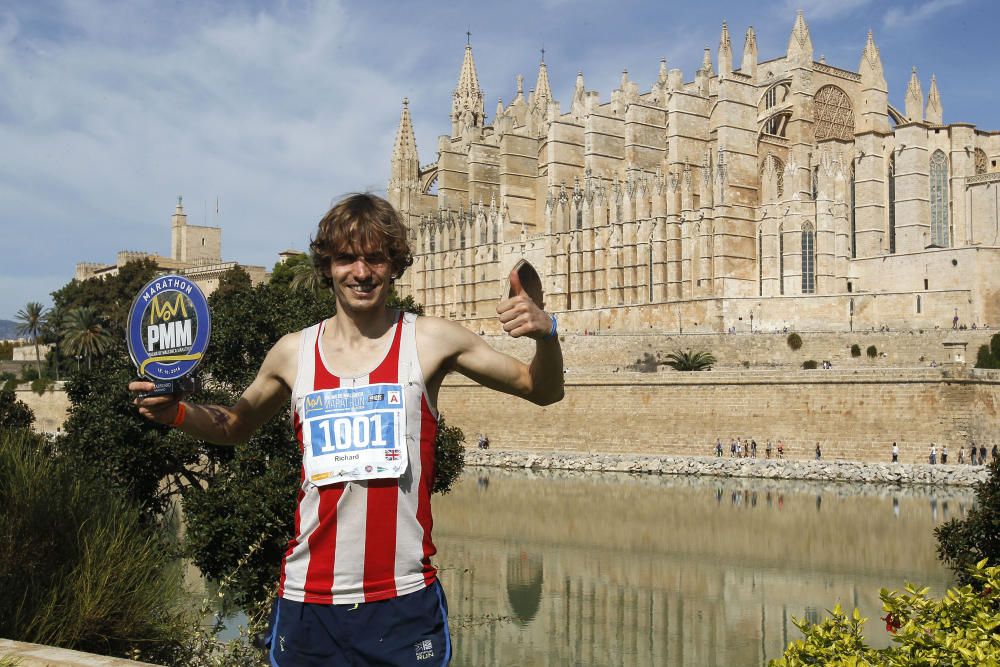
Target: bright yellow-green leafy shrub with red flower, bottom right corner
x=957 y=630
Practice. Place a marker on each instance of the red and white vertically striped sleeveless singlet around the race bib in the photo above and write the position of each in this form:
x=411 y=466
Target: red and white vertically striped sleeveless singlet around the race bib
x=367 y=540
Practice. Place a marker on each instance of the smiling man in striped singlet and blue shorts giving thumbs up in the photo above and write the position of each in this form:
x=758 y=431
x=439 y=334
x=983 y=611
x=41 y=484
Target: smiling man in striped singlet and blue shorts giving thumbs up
x=357 y=586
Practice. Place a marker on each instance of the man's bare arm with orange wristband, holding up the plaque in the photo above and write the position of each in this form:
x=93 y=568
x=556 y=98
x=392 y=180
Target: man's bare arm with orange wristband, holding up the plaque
x=224 y=425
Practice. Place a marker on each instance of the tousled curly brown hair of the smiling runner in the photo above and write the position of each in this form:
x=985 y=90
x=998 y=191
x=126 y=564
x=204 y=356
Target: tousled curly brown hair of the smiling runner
x=363 y=224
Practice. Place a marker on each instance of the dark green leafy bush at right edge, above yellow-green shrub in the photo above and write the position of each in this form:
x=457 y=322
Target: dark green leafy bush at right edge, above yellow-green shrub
x=964 y=542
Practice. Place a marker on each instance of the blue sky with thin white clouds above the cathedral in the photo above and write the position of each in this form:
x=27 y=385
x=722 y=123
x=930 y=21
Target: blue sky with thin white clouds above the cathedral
x=261 y=114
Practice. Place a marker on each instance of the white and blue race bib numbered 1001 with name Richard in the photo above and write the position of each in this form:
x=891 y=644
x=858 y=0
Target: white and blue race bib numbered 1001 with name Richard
x=354 y=433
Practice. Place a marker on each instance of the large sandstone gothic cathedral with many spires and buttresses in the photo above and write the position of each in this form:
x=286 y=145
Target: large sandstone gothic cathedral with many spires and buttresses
x=783 y=192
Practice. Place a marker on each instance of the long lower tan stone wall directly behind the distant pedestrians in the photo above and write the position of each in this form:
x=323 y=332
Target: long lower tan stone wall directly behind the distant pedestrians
x=855 y=415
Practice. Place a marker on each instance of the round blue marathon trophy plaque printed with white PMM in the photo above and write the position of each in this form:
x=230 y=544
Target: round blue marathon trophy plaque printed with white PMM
x=168 y=330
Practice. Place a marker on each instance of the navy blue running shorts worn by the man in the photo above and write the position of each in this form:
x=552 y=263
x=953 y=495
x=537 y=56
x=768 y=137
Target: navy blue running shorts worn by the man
x=410 y=629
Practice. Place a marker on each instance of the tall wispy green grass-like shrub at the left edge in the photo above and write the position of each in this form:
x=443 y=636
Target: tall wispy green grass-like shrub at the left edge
x=78 y=566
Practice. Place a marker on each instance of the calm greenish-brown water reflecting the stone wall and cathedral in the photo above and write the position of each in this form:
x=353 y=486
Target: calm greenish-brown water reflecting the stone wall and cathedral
x=611 y=569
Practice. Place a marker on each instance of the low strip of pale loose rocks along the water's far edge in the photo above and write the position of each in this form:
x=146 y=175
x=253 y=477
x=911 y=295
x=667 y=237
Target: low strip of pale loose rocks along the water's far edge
x=825 y=471
